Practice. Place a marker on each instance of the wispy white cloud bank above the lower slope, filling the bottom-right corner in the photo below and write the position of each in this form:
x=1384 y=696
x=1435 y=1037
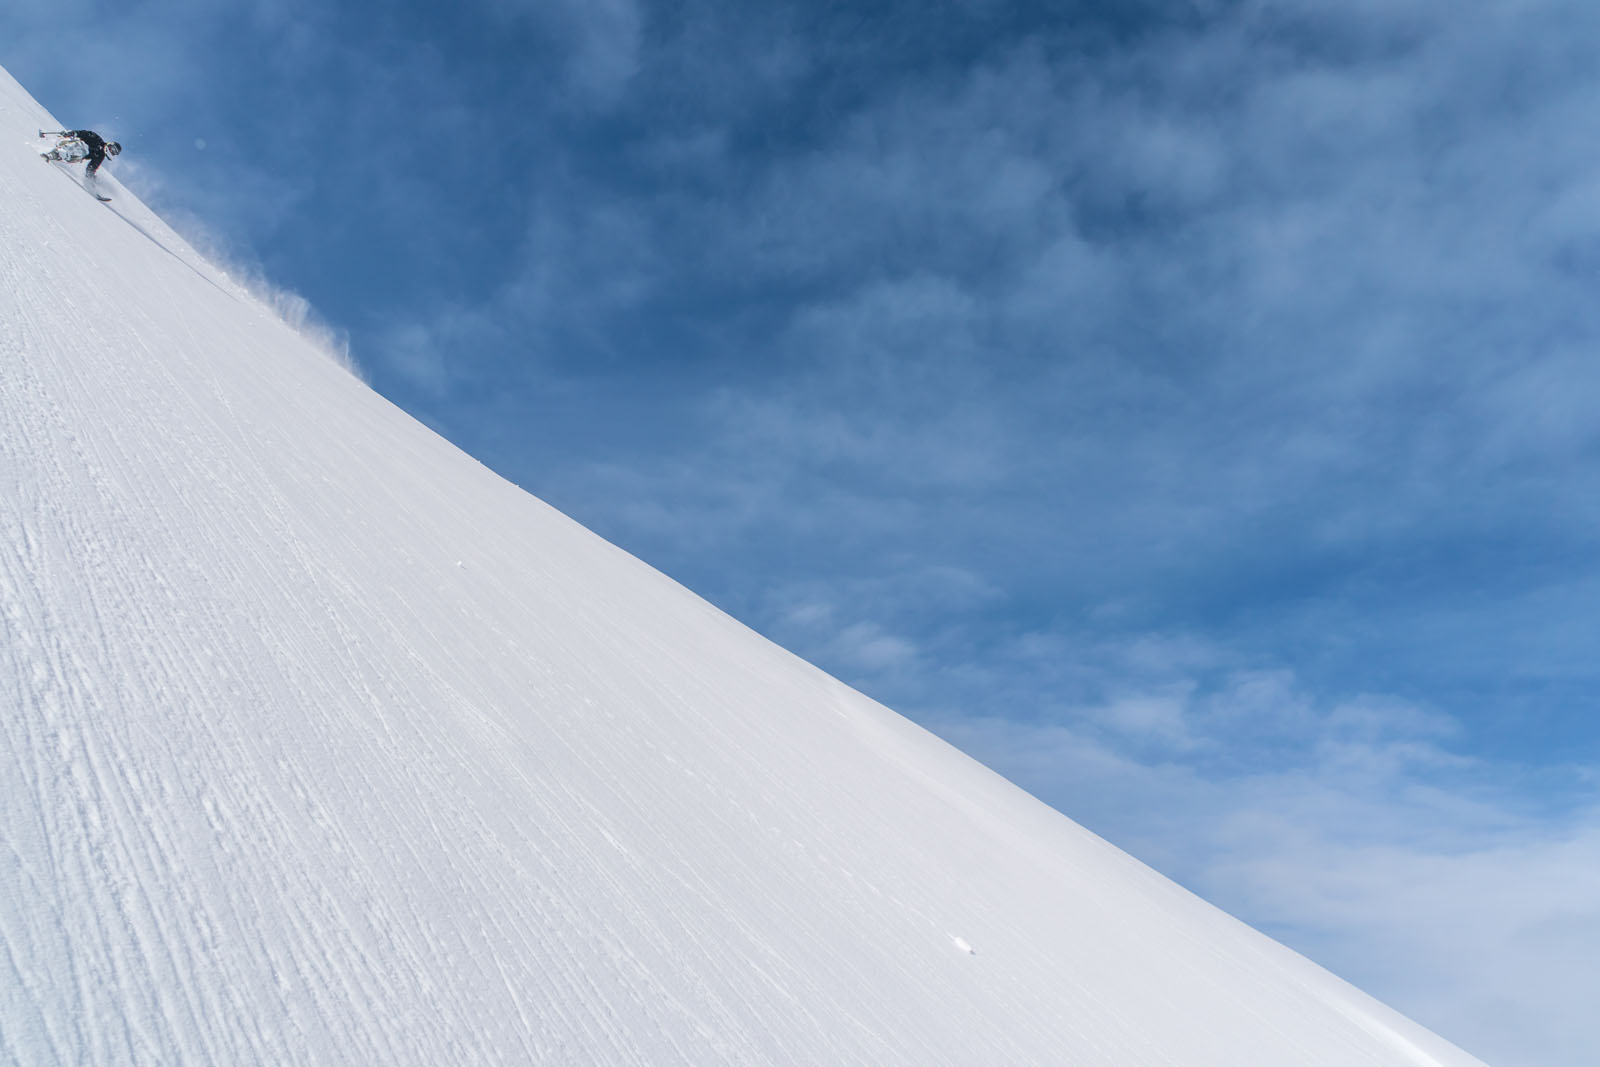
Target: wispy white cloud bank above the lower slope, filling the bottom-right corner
x=1407 y=868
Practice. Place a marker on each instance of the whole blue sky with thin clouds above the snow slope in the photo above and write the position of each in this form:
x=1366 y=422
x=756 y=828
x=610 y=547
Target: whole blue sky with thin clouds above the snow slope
x=1188 y=409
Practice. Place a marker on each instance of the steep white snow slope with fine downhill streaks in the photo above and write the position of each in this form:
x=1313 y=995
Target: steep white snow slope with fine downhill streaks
x=322 y=745
